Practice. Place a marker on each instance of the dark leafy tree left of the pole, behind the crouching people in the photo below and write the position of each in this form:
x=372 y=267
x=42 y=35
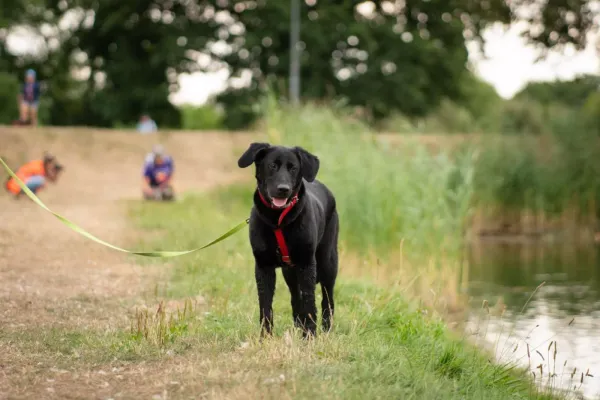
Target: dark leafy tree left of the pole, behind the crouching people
x=134 y=52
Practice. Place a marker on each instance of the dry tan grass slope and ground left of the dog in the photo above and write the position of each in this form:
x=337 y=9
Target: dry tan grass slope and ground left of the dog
x=61 y=293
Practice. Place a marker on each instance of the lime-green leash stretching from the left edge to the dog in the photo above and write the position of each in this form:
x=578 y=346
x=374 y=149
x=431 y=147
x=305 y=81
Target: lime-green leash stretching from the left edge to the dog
x=81 y=231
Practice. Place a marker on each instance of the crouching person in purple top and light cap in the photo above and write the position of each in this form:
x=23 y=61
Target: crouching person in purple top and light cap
x=158 y=172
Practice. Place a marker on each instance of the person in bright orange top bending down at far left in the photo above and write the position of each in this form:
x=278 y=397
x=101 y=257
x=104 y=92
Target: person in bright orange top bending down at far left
x=34 y=175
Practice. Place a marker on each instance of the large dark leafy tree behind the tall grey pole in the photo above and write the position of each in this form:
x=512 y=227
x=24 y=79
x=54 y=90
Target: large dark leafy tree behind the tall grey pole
x=382 y=56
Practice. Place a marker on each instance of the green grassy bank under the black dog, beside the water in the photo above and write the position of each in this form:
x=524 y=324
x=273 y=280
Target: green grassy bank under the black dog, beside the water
x=382 y=346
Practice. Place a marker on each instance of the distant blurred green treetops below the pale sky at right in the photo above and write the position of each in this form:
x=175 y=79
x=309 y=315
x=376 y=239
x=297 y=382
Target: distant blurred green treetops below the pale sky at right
x=541 y=108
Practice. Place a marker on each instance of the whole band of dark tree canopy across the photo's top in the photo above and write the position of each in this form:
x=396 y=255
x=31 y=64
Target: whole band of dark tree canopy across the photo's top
x=109 y=61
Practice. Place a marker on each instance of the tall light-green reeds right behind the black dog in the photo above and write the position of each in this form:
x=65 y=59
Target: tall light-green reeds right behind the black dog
x=385 y=196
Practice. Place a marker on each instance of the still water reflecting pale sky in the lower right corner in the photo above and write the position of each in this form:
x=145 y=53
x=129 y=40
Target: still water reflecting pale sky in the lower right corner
x=562 y=316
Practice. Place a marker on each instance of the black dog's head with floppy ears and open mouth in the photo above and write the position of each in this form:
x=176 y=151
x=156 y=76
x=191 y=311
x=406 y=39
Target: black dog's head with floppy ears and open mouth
x=279 y=170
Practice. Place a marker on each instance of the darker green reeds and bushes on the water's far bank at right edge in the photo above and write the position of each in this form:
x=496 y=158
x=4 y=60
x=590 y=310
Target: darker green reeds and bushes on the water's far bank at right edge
x=551 y=174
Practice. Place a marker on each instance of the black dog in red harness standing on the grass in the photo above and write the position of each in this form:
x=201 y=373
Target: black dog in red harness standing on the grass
x=294 y=225
